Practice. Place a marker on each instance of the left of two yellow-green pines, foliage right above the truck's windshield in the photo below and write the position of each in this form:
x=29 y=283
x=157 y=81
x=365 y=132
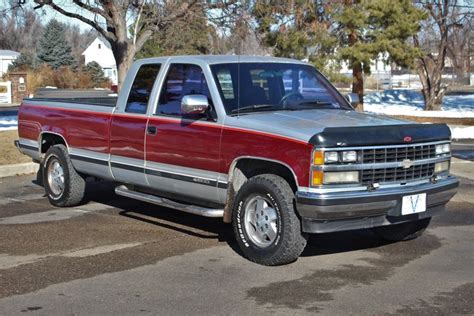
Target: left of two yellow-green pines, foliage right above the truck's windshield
x=303 y=30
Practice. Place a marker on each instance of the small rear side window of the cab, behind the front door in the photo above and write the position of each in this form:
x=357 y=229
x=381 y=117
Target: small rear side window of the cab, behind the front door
x=140 y=91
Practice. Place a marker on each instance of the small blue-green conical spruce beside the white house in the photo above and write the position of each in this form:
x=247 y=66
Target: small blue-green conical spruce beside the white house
x=53 y=49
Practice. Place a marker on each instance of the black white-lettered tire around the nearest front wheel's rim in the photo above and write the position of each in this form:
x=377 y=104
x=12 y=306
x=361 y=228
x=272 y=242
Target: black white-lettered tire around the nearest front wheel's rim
x=290 y=241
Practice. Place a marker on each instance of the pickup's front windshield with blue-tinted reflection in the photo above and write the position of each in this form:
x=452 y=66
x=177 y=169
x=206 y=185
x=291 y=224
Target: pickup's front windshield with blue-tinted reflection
x=254 y=87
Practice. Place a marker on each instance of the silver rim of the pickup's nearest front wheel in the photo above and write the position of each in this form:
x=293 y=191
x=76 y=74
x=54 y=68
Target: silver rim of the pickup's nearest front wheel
x=261 y=221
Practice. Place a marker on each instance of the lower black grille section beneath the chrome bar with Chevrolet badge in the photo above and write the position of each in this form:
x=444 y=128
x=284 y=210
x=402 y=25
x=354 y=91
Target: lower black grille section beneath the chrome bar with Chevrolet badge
x=380 y=175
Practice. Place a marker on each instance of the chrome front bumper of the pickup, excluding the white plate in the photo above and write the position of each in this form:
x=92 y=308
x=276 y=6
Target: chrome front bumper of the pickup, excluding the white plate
x=337 y=211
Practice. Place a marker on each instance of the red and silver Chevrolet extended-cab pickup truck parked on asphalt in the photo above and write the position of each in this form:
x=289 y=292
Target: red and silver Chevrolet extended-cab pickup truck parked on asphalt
x=268 y=144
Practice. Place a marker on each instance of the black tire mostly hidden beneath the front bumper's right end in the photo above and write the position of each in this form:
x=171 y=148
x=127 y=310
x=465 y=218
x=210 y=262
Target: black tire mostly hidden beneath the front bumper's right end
x=403 y=231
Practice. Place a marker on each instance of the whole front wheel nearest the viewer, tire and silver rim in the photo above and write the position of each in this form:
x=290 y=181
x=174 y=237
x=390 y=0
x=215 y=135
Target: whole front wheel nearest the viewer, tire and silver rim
x=266 y=226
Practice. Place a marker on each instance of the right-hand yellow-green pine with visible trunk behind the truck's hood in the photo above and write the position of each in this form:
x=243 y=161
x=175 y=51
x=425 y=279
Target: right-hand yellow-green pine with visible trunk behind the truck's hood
x=370 y=28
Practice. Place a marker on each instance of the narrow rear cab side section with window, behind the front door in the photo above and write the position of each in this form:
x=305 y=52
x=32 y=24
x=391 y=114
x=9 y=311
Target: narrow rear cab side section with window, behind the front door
x=127 y=130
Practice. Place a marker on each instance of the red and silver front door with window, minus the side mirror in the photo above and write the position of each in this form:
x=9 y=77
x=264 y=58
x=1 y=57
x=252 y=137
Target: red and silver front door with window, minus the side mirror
x=182 y=156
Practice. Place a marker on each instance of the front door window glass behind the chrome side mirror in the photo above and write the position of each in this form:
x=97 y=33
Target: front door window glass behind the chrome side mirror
x=181 y=80
